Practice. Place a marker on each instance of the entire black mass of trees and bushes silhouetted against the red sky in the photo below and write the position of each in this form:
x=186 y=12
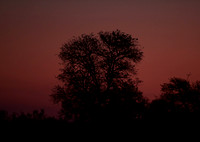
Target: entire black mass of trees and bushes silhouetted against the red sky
x=99 y=87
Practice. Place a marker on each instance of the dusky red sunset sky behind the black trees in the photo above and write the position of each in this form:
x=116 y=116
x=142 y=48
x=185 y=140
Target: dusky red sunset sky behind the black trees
x=32 y=32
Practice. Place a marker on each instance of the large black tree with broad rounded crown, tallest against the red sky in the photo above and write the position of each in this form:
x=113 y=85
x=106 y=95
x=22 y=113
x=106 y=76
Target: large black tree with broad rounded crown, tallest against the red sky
x=98 y=76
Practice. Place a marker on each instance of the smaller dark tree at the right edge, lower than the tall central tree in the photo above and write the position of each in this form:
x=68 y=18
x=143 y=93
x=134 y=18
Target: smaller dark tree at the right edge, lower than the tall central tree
x=179 y=98
